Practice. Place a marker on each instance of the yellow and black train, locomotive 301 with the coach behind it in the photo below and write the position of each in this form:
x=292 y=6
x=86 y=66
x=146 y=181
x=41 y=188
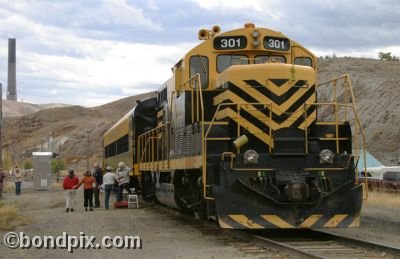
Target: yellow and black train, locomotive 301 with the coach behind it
x=238 y=134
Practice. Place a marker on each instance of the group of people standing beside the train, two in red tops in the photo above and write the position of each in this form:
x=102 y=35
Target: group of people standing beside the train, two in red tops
x=92 y=183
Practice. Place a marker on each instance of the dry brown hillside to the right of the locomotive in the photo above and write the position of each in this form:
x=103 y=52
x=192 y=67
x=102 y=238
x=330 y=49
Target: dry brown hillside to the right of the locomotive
x=376 y=86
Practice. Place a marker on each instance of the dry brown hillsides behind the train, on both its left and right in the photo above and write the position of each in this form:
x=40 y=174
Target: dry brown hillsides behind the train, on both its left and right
x=376 y=87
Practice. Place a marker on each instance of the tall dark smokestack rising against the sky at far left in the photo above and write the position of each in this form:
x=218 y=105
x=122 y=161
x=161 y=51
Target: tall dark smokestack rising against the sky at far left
x=12 y=78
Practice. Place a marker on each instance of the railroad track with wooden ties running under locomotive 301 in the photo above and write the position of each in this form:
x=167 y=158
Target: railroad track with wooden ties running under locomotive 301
x=284 y=243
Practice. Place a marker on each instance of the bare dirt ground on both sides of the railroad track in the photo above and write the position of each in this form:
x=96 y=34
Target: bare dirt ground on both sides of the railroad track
x=162 y=237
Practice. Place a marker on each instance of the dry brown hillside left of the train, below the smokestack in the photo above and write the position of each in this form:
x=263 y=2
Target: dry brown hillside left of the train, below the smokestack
x=69 y=127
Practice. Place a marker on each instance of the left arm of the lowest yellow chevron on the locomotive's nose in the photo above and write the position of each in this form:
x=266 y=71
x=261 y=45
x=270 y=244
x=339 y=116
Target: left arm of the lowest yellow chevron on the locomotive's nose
x=228 y=112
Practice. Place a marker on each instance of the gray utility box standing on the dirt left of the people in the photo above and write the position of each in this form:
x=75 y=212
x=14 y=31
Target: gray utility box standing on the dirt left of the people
x=42 y=170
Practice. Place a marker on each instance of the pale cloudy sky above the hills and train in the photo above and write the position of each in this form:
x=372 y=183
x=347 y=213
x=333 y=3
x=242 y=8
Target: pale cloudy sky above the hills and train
x=93 y=52
